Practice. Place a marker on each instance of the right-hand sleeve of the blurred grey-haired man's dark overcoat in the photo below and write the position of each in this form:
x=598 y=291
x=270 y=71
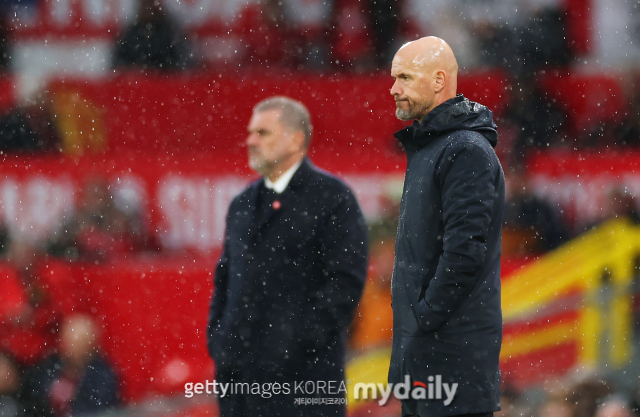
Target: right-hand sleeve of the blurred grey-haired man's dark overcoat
x=343 y=249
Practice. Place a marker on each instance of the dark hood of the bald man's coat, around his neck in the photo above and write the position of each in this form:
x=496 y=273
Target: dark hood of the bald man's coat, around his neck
x=454 y=114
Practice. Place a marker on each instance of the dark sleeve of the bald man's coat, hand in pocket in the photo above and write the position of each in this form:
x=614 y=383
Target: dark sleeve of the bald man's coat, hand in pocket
x=467 y=179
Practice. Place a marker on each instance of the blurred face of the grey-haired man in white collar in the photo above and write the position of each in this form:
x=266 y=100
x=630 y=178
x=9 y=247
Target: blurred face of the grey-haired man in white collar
x=269 y=144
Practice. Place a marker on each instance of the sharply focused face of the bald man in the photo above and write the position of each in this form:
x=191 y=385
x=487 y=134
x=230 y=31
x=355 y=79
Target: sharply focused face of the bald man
x=412 y=89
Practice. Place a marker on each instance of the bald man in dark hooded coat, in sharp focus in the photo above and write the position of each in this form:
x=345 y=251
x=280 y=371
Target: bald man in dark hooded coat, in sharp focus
x=447 y=320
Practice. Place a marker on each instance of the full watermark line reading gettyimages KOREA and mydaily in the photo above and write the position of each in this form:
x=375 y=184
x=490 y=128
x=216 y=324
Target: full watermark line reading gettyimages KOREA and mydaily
x=433 y=389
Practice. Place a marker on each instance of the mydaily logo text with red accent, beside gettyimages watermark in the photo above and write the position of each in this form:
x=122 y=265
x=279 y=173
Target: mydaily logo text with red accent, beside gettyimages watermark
x=432 y=390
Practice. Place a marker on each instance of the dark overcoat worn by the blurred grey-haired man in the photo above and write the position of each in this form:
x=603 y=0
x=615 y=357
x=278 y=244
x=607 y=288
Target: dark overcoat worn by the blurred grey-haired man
x=287 y=283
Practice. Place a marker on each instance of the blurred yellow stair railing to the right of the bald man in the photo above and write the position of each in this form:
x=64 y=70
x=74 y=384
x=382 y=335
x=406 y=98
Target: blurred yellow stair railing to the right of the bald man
x=580 y=265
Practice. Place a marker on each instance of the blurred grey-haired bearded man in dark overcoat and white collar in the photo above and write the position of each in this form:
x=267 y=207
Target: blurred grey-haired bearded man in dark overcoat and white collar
x=290 y=275
